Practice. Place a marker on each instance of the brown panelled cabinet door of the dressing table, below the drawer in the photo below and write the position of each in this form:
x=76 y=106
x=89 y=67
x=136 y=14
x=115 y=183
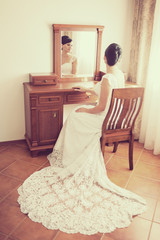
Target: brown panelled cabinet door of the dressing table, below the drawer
x=49 y=124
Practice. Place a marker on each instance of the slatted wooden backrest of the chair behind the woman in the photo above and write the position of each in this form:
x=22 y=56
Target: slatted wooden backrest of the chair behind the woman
x=124 y=108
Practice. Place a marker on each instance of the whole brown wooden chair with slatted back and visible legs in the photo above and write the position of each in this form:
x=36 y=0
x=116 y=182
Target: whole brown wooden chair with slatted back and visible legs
x=119 y=122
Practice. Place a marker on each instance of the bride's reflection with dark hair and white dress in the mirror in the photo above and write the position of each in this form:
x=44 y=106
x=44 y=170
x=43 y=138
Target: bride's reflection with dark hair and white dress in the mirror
x=69 y=62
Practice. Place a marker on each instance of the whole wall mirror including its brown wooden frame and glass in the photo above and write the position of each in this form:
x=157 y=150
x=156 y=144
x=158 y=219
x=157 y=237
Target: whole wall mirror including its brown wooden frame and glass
x=76 y=51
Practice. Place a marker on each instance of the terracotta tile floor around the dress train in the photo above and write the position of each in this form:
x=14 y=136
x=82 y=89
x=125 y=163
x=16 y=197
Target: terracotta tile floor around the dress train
x=16 y=164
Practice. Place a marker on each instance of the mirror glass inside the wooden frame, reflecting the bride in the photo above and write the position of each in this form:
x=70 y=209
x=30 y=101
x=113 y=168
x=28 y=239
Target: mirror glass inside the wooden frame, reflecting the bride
x=77 y=56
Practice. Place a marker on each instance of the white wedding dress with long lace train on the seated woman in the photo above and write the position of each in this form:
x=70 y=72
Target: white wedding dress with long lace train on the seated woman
x=74 y=194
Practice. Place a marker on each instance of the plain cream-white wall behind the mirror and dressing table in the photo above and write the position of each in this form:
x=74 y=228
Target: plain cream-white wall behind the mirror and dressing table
x=26 y=45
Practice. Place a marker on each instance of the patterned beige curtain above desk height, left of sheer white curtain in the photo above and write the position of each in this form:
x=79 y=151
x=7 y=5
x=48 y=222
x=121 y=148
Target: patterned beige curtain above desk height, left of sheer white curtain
x=141 y=40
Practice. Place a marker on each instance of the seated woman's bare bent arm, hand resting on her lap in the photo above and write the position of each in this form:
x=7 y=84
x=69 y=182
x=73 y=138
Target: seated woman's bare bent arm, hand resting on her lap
x=105 y=89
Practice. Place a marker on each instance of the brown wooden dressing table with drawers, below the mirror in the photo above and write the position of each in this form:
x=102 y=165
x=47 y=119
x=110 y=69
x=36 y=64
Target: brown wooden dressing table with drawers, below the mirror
x=44 y=112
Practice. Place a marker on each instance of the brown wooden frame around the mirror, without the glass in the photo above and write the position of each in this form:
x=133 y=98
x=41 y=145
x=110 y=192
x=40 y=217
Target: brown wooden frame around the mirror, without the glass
x=57 y=29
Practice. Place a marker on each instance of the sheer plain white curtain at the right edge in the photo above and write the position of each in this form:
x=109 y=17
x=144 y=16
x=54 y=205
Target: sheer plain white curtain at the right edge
x=150 y=127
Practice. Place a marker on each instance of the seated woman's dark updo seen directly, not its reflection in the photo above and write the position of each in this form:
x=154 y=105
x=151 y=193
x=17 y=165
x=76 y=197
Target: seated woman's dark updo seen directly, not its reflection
x=112 y=54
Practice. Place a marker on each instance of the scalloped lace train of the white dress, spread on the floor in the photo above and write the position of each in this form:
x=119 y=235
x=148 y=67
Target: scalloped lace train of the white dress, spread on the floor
x=75 y=204
